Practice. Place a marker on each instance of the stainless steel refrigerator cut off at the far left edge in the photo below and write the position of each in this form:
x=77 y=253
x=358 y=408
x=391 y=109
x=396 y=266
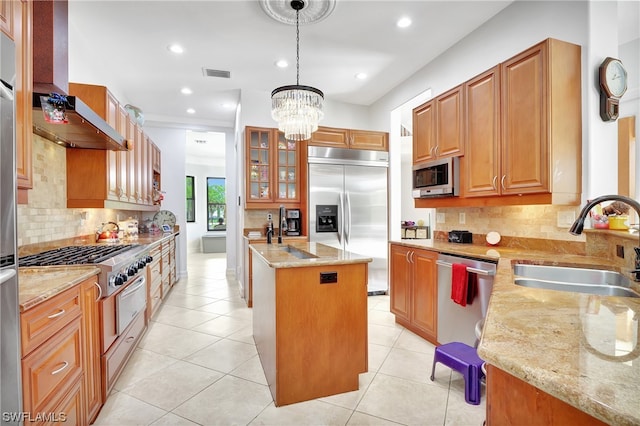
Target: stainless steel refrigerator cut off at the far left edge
x=10 y=383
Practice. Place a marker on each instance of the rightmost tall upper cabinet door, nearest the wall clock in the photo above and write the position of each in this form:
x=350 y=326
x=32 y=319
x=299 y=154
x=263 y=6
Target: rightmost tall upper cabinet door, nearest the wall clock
x=524 y=127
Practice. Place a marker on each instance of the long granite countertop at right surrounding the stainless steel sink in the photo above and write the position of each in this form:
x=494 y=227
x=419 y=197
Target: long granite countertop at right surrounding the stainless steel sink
x=580 y=348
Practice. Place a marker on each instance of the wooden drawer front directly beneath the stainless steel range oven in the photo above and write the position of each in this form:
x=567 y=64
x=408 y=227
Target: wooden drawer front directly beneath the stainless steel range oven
x=116 y=357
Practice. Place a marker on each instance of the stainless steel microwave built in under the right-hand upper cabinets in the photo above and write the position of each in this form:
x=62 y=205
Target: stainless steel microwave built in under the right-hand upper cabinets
x=439 y=178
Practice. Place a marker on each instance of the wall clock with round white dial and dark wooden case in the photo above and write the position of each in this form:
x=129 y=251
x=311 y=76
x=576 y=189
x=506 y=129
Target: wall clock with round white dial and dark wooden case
x=613 y=84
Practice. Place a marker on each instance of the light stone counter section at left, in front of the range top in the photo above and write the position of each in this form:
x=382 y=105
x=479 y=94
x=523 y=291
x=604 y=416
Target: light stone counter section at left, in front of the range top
x=37 y=284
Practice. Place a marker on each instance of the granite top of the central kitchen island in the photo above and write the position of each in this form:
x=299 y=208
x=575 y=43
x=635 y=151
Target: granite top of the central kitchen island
x=276 y=257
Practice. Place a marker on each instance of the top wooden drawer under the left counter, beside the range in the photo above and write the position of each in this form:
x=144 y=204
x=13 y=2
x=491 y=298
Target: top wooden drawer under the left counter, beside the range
x=43 y=321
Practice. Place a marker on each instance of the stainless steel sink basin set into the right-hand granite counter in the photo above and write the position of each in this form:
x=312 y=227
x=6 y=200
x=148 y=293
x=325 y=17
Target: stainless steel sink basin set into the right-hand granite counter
x=580 y=280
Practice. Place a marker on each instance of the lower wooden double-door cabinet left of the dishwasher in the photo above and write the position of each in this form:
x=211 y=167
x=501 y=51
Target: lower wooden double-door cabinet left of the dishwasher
x=414 y=289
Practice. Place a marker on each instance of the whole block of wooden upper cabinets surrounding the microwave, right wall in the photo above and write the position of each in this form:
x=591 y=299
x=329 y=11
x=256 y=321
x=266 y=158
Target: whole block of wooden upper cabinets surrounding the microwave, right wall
x=522 y=131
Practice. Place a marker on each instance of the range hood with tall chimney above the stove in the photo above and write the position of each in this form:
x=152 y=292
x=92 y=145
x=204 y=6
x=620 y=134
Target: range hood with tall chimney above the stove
x=81 y=127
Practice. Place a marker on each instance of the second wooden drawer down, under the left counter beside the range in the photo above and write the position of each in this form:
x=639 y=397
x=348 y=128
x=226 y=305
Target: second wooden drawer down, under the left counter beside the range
x=52 y=368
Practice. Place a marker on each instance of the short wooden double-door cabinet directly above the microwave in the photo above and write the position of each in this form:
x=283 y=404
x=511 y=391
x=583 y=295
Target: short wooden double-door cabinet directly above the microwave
x=438 y=127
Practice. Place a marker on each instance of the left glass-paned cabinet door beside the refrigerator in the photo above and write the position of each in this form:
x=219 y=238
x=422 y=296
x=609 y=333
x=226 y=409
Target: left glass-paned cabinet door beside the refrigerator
x=258 y=164
